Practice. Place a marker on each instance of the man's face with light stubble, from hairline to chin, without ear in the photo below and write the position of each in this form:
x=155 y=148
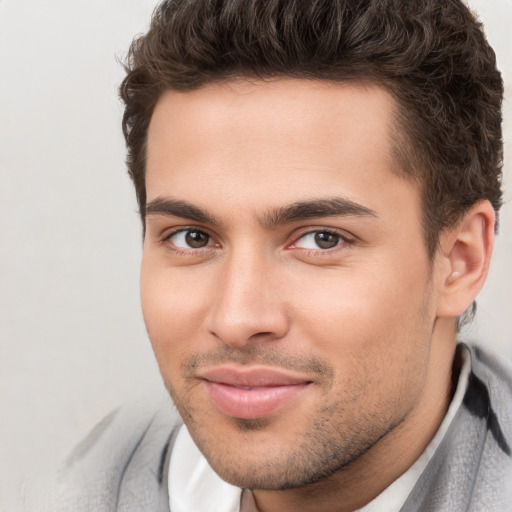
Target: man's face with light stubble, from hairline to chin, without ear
x=285 y=282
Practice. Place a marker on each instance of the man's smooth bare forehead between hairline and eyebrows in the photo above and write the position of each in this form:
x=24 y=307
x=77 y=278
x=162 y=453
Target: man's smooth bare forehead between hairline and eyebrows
x=264 y=141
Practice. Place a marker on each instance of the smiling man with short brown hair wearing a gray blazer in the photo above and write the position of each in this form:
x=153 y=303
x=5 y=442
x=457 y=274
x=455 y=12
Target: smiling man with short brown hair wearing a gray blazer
x=318 y=184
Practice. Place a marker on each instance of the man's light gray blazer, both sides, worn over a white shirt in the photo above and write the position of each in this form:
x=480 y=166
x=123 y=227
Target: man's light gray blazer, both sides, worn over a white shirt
x=122 y=465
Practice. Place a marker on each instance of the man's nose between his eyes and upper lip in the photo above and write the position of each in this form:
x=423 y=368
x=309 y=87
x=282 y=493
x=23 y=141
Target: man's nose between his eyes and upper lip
x=248 y=303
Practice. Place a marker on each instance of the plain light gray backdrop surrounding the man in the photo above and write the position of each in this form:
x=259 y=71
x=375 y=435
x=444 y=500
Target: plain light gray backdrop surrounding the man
x=72 y=340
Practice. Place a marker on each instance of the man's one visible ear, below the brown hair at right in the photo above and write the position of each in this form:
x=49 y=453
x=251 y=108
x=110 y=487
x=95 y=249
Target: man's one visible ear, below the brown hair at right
x=465 y=253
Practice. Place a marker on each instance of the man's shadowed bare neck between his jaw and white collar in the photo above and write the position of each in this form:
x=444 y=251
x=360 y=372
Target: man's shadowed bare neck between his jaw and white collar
x=358 y=483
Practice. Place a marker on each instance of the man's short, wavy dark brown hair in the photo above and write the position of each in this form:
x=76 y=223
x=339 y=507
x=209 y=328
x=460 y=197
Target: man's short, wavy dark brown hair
x=431 y=55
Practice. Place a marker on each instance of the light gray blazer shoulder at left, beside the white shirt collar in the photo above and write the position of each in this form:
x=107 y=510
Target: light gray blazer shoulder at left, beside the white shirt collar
x=119 y=466
